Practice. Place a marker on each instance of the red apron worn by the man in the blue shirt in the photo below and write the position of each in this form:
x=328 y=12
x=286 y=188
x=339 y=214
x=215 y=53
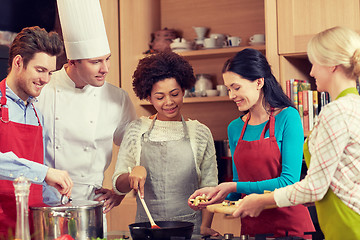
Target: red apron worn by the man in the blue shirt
x=25 y=141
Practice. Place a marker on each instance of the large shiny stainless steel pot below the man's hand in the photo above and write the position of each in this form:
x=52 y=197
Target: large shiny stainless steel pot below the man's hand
x=80 y=219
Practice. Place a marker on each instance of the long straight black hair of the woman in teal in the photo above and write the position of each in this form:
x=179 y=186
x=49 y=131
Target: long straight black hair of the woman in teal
x=251 y=64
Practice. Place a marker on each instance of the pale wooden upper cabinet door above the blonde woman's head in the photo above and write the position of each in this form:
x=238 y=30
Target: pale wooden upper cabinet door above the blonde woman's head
x=299 y=20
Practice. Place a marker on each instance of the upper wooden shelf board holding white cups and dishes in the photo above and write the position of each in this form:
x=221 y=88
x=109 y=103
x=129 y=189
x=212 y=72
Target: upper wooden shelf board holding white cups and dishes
x=218 y=52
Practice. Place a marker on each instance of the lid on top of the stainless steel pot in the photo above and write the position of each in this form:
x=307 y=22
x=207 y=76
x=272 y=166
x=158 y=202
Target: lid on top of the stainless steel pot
x=75 y=204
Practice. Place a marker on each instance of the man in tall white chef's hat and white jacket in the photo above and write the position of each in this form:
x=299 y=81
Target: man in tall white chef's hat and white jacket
x=84 y=115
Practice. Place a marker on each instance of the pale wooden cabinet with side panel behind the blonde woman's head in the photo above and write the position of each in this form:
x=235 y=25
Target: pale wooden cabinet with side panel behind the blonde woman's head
x=295 y=22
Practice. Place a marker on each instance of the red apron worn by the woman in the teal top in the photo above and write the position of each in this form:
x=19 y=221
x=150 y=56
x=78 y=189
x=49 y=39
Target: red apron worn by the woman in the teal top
x=261 y=160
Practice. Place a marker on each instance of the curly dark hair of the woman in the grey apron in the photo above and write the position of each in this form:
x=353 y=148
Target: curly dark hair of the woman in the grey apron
x=160 y=66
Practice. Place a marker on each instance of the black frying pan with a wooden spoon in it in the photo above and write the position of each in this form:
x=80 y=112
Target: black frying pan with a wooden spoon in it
x=168 y=230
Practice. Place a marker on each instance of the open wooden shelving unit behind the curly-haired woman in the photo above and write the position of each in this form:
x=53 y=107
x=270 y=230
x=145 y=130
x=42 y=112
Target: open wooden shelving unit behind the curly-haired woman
x=139 y=18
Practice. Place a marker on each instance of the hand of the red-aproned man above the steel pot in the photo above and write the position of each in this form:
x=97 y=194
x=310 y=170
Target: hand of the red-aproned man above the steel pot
x=60 y=180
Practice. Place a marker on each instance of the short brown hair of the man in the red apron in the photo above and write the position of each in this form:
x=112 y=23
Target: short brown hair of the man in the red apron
x=32 y=40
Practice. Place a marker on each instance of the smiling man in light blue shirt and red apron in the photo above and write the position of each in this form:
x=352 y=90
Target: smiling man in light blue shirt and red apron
x=32 y=60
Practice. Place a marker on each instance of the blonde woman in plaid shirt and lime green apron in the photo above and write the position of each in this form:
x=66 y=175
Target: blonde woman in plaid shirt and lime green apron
x=332 y=150
